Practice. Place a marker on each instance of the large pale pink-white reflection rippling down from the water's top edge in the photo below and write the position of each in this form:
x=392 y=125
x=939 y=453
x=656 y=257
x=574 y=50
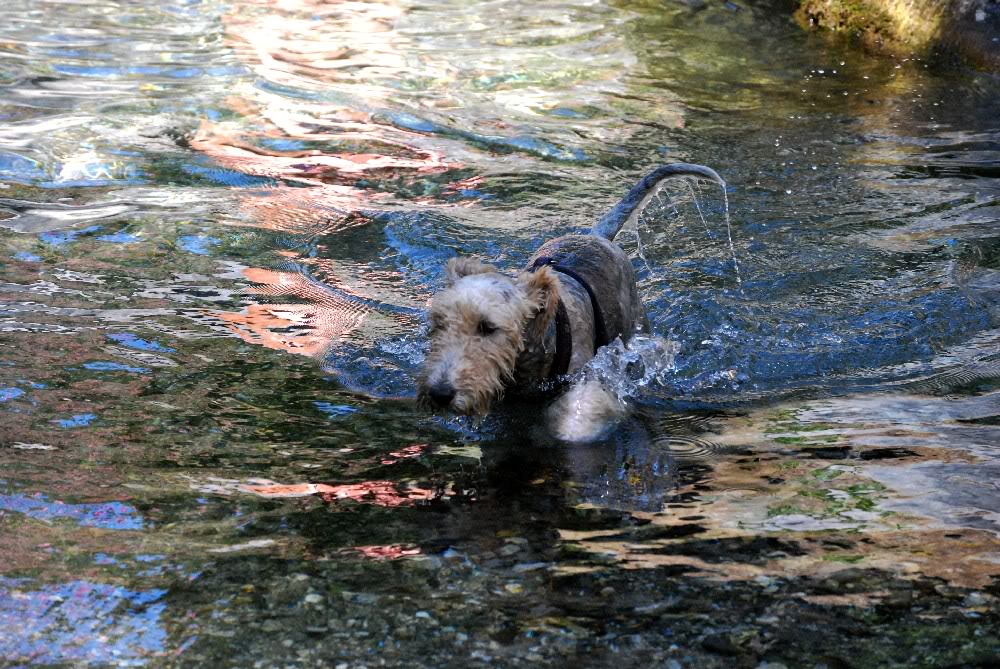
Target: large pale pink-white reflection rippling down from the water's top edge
x=326 y=57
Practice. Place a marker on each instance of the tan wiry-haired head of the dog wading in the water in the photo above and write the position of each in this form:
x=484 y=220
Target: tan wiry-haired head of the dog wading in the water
x=478 y=326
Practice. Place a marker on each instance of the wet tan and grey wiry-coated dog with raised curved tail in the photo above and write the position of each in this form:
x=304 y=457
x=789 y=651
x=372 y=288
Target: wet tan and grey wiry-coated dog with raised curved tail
x=491 y=333
